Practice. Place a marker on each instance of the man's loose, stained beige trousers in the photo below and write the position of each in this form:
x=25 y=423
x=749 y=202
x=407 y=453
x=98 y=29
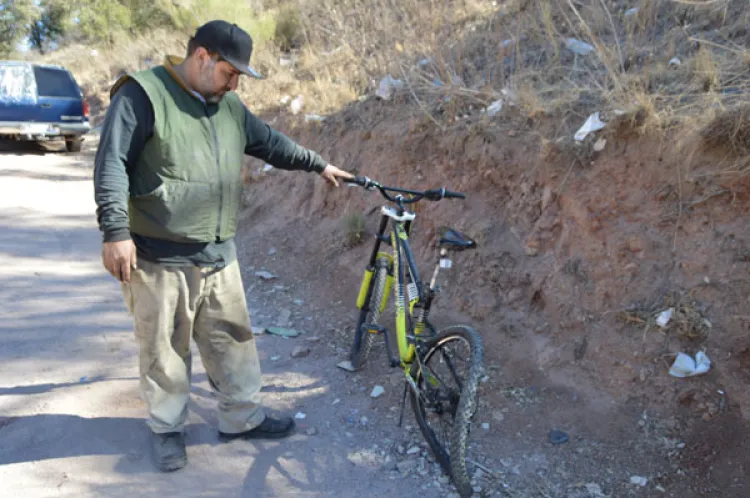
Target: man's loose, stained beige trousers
x=169 y=306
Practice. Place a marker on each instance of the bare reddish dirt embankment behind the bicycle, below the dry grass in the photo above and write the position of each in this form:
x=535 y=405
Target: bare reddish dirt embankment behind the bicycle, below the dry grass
x=579 y=253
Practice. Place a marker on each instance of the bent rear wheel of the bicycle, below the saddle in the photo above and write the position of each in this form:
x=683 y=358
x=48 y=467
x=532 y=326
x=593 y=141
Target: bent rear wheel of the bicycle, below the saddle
x=451 y=366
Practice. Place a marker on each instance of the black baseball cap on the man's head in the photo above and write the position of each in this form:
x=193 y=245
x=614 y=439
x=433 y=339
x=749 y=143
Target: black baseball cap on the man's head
x=231 y=42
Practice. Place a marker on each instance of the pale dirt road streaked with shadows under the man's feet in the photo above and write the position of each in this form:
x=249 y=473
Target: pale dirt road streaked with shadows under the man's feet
x=71 y=417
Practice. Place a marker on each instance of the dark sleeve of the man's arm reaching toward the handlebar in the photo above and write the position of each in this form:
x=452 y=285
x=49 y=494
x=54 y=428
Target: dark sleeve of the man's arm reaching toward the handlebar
x=277 y=149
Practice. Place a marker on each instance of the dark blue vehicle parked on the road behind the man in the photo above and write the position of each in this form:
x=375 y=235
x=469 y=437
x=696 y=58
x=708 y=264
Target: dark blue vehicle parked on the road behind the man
x=40 y=102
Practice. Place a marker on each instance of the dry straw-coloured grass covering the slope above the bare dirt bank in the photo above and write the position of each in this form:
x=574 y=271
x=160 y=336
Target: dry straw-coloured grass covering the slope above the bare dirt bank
x=457 y=56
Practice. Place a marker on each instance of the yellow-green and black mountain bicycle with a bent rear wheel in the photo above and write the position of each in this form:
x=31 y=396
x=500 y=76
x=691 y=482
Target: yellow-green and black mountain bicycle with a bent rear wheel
x=422 y=350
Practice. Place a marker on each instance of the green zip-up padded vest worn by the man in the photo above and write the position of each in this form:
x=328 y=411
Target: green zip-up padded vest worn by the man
x=186 y=185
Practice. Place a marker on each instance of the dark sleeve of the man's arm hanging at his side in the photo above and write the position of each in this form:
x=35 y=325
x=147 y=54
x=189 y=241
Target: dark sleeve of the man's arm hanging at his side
x=129 y=122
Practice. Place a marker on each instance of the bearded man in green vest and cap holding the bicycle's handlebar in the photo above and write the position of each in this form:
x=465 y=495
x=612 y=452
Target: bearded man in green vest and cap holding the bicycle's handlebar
x=168 y=192
